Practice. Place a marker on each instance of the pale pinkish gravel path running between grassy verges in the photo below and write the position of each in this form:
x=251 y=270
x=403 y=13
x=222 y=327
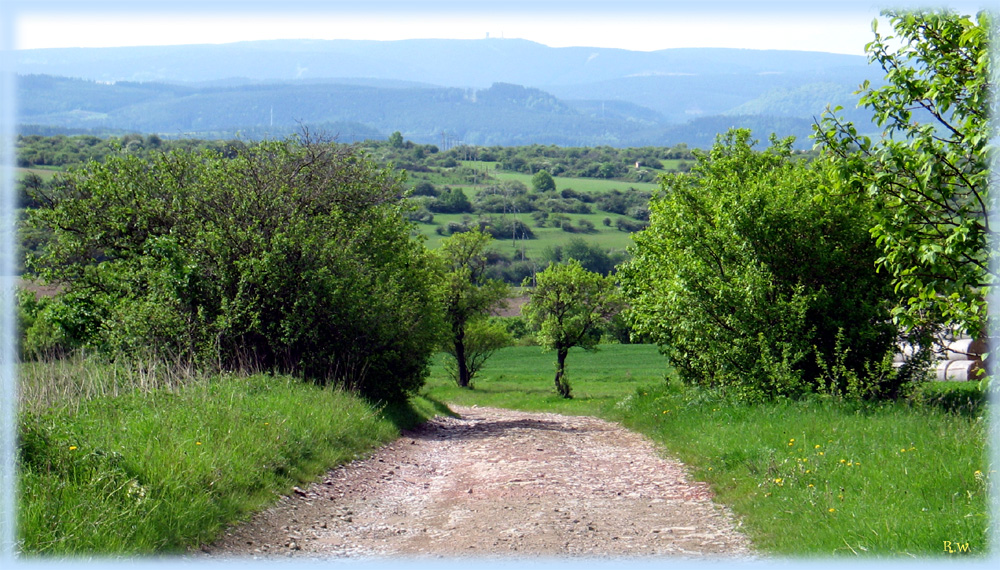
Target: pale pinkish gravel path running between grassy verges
x=498 y=484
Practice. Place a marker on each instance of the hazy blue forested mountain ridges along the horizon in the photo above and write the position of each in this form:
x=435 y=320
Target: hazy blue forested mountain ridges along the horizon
x=494 y=91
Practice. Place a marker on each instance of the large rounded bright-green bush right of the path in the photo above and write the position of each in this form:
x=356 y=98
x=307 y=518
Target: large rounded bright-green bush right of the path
x=746 y=276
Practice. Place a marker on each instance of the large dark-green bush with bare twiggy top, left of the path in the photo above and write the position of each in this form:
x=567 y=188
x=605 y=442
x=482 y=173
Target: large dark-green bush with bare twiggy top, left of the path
x=285 y=256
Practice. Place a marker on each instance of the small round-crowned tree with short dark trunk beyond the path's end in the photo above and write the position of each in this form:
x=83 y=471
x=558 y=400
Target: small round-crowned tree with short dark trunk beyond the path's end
x=568 y=307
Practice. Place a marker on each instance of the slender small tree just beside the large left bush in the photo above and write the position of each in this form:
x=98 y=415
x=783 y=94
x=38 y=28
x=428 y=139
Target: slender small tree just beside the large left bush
x=468 y=297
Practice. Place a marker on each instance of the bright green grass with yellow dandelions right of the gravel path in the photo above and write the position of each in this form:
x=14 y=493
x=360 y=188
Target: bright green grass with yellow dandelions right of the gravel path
x=814 y=478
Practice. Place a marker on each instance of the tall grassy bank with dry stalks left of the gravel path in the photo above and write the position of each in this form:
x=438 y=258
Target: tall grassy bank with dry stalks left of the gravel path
x=157 y=471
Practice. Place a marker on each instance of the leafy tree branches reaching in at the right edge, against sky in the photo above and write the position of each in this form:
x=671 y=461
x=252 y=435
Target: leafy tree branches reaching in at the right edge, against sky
x=927 y=176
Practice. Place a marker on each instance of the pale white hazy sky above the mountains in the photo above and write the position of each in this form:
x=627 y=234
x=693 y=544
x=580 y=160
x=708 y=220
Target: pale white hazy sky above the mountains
x=833 y=26
